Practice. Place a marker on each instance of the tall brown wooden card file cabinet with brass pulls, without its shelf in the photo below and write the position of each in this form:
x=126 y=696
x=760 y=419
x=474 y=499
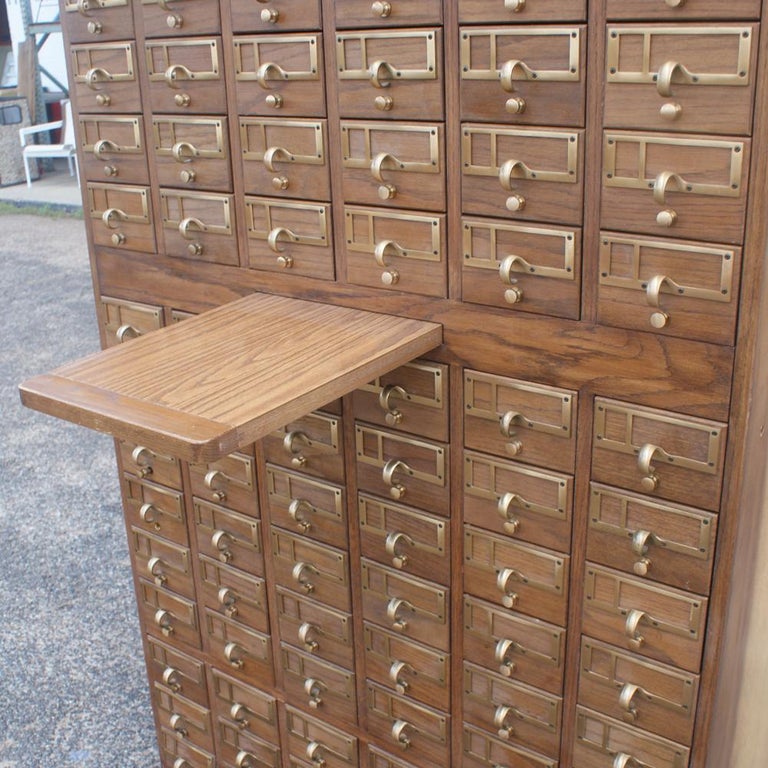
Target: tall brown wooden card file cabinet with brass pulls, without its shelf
x=539 y=543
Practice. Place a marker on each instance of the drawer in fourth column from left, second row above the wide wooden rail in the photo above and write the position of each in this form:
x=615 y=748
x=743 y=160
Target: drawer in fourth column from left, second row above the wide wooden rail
x=393 y=165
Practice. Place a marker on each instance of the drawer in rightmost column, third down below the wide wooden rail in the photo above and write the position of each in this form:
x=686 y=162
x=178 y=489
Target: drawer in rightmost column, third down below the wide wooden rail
x=659 y=623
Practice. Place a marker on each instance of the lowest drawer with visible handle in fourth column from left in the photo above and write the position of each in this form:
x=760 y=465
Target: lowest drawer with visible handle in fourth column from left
x=399 y=722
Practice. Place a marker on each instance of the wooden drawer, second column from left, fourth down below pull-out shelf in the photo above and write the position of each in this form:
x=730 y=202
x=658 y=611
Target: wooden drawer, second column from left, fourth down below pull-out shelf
x=244 y=652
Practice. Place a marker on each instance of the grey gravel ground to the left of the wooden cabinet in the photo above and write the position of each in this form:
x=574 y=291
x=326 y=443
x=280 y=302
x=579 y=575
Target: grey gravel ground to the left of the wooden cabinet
x=73 y=690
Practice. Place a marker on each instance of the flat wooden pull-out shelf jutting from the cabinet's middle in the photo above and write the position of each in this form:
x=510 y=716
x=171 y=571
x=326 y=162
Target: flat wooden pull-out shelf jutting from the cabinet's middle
x=137 y=407
